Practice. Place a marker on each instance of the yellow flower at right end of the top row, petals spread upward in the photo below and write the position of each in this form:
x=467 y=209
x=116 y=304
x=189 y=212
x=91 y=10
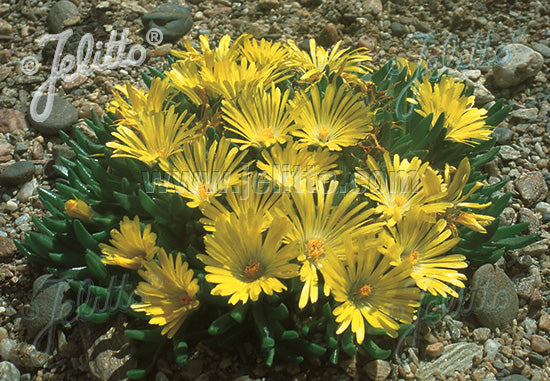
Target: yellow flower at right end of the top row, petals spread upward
x=312 y=64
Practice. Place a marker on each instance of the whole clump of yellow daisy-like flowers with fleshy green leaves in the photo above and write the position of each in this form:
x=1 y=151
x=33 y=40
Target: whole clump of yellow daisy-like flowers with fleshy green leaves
x=255 y=186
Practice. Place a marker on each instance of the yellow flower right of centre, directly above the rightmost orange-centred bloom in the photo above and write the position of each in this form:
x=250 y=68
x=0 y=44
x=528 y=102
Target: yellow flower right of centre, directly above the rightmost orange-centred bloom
x=401 y=186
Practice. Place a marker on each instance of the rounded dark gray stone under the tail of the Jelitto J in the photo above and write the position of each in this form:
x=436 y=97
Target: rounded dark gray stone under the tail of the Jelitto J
x=61 y=118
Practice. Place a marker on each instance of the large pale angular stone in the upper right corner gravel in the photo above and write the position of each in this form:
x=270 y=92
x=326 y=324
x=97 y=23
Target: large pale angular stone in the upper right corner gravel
x=517 y=64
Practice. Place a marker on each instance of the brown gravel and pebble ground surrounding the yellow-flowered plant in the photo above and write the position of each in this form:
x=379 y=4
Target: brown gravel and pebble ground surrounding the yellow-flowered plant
x=458 y=347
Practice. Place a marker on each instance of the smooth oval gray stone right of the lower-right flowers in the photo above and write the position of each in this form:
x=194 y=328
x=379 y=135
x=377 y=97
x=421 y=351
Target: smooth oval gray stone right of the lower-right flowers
x=495 y=301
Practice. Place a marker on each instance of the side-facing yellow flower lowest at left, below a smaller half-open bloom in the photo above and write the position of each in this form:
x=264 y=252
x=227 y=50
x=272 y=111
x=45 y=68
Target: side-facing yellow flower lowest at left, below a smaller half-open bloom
x=168 y=294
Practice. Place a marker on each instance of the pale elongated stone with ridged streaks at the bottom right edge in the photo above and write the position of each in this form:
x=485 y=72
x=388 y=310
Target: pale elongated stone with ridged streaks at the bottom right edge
x=455 y=357
